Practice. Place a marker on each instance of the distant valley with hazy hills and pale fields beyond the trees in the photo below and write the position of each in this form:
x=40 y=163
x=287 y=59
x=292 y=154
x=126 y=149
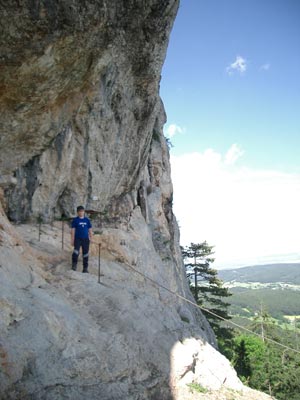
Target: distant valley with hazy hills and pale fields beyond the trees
x=275 y=287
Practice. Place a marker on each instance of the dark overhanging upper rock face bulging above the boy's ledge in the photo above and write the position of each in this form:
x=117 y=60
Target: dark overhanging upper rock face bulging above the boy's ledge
x=79 y=94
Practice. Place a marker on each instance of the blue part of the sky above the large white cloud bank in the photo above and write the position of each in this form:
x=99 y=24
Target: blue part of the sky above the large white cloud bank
x=258 y=108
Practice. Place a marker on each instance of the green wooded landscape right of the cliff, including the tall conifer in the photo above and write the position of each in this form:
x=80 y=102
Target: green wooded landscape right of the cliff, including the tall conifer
x=269 y=359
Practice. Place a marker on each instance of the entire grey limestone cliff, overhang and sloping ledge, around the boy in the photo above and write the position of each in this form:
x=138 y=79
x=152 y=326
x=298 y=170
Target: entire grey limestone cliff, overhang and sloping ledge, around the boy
x=81 y=123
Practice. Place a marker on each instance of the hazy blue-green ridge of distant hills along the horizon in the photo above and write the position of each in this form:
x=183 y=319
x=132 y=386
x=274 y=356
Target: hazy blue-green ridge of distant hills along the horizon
x=271 y=273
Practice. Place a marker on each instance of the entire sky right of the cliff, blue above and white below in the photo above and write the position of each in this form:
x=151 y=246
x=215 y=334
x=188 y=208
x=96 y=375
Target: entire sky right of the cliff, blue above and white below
x=231 y=89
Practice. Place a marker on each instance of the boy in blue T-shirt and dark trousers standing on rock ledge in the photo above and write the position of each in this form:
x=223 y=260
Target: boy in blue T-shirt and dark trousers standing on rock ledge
x=81 y=235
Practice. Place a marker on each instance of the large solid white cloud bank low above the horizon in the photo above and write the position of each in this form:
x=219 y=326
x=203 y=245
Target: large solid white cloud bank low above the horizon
x=249 y=215
